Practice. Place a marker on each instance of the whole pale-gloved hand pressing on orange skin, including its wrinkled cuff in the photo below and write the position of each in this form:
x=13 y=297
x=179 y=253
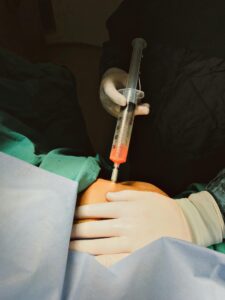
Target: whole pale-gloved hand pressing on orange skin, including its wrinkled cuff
x=134 y=219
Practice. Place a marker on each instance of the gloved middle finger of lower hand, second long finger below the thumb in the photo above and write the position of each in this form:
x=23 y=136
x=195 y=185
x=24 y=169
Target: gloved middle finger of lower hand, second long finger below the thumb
x=96 y=229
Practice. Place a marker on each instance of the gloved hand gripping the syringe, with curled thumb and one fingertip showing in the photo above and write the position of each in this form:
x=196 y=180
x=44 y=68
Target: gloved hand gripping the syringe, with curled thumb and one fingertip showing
x=111 y=99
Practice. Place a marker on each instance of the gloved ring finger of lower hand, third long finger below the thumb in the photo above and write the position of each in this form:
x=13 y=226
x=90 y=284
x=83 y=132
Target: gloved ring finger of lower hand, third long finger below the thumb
x=111 y=245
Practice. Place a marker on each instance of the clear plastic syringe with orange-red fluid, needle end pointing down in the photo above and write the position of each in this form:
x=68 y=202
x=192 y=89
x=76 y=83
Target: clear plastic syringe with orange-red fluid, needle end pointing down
x=125 y=120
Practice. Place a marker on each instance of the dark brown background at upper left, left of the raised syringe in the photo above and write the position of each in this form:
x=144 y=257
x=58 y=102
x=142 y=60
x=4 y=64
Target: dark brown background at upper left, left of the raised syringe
x=68 y=32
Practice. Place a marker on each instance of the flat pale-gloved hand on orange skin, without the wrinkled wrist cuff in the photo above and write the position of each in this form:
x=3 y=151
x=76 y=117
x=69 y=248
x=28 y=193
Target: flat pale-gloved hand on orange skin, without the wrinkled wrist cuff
x=132 y=219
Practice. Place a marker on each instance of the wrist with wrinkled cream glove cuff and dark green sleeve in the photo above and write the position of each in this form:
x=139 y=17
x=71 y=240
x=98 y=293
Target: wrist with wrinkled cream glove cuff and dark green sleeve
x=205 y=212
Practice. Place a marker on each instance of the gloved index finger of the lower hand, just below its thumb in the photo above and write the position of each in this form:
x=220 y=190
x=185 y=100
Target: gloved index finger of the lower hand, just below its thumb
x=99 y=210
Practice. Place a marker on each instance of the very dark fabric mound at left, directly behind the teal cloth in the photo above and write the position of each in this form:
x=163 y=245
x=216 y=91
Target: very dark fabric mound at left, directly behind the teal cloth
x=43 y=96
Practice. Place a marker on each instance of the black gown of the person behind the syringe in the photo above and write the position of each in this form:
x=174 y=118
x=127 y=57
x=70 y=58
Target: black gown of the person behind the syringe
x=183 y=76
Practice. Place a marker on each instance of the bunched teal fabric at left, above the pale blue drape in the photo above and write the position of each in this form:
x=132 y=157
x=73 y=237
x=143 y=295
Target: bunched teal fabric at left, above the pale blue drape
x=59 y=161
